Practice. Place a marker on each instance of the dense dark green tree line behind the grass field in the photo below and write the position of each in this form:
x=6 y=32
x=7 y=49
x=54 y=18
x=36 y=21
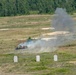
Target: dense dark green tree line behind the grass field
x=21 y=7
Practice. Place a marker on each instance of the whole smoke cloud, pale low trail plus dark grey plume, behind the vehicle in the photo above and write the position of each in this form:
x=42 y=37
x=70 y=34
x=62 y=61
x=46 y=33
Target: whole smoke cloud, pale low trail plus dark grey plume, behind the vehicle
x=61 y=22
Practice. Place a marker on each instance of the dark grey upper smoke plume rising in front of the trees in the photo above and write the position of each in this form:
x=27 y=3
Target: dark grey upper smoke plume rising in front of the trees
x=62 y=21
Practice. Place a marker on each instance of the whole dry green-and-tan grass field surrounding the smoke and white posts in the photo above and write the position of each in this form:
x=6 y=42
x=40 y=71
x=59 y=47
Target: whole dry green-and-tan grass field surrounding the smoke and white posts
x=22 y=27
